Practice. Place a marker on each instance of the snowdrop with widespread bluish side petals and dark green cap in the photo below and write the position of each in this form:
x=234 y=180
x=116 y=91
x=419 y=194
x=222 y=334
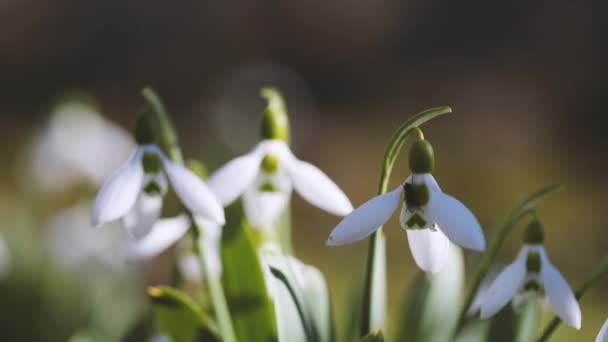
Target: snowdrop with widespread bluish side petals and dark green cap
x=430 y=217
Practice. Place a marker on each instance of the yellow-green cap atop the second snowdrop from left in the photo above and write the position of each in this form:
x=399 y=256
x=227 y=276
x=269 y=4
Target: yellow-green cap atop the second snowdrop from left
x=275 y=122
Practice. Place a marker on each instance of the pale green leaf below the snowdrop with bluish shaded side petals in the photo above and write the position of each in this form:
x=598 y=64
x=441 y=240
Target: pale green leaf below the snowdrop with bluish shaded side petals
x=430 y=309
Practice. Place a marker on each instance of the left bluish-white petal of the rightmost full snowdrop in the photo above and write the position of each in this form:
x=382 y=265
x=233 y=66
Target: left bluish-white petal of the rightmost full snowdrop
x=505 y=286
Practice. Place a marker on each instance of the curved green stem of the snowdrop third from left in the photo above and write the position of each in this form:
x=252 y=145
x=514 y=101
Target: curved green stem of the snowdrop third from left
x=374 y=293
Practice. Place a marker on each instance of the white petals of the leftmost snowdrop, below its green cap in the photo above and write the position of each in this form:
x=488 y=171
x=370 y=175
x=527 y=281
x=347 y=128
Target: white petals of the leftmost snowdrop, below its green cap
x=134 y=192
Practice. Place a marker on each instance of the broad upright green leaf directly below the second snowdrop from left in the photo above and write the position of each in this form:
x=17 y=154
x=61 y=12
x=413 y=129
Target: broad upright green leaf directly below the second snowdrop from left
x=243 y=280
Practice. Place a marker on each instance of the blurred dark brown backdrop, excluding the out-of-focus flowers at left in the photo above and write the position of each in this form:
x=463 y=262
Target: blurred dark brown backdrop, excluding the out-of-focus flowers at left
x=526 y=80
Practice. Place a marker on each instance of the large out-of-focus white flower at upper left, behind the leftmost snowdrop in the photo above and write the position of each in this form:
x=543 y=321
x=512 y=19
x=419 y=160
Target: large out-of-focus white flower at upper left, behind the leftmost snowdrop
x=77 y=144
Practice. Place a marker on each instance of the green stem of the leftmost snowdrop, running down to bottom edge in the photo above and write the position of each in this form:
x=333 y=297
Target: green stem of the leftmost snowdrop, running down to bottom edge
x=167 y=139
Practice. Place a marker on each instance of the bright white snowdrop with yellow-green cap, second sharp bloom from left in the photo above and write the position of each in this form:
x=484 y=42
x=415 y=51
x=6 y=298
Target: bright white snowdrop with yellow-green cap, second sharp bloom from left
x=266 y=176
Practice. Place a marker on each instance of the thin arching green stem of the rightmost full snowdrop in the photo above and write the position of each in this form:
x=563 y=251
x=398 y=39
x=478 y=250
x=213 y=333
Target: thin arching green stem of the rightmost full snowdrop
x=526 y=207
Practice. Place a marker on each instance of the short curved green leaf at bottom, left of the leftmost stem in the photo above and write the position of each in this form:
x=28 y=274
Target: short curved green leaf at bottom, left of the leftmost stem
x=179 y=317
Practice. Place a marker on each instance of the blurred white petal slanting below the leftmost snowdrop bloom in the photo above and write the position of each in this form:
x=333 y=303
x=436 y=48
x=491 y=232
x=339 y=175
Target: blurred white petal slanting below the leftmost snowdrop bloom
x=164 y=234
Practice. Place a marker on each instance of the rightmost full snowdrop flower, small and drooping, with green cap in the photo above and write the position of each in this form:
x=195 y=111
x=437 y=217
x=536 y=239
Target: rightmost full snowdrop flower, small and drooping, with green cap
x=532 y=276
